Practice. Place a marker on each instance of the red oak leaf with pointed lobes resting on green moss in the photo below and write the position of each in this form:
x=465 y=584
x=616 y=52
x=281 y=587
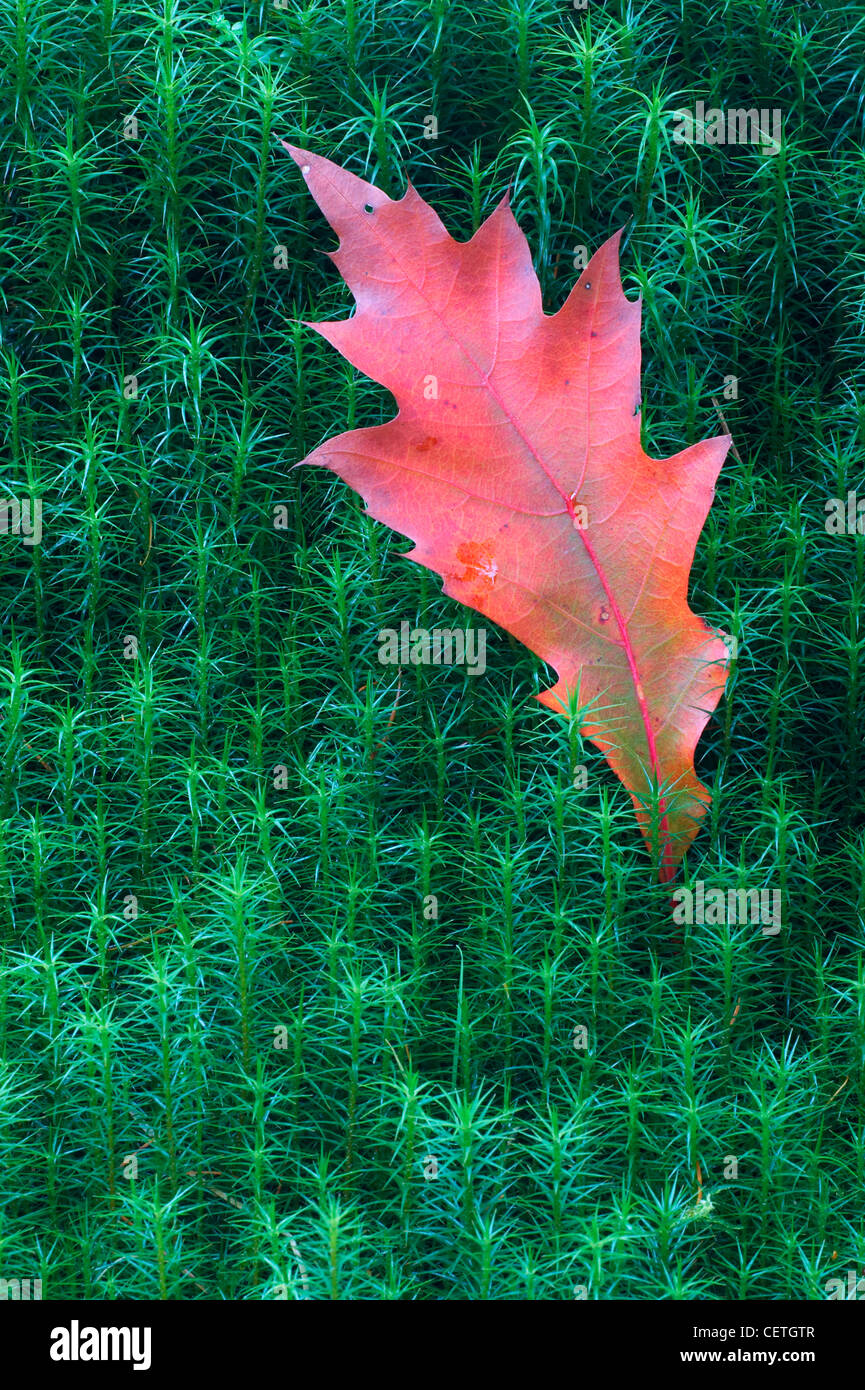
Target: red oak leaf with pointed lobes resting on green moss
x=515 y=466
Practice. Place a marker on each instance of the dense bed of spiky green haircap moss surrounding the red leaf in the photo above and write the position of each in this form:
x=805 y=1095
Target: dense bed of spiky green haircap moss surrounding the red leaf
x=233 y=832
